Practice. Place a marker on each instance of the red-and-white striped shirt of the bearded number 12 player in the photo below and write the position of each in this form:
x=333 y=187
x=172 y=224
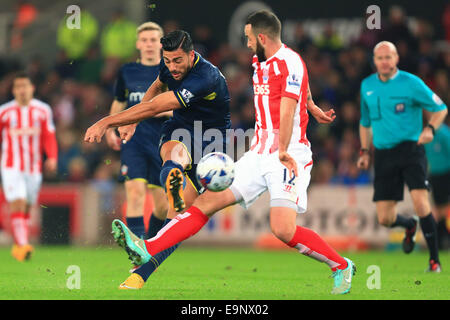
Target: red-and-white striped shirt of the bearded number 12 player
x=282 y=75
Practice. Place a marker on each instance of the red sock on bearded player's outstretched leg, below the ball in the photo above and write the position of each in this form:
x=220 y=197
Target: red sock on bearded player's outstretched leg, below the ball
x=178 y=229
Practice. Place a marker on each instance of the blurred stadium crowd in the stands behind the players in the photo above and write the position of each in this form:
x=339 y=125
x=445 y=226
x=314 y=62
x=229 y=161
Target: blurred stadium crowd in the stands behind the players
x=79 y=87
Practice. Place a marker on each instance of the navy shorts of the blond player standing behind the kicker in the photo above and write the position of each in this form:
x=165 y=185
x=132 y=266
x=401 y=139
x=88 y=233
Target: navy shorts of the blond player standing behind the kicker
x=140 y=158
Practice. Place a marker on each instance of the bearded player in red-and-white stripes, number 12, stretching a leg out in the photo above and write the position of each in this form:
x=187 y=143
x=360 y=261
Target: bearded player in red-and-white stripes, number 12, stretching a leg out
x=279 y=159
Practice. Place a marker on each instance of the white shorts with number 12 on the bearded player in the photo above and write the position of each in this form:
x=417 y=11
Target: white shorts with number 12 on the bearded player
x=256 y=173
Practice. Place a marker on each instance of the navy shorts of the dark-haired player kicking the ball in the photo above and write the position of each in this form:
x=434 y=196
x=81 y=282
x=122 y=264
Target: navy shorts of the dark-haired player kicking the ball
x=173 y=130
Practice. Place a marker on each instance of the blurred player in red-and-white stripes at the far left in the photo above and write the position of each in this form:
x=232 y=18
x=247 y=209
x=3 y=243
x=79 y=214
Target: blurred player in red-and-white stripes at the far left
x=27 y=131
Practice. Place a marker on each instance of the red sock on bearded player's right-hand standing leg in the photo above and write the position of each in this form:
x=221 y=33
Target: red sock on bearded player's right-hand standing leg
x=311 y=244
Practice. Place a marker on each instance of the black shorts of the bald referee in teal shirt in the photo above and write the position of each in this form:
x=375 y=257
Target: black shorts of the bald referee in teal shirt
x=405 y=163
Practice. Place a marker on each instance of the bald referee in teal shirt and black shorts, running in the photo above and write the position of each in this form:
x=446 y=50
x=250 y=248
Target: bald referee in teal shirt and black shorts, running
x=391 y=106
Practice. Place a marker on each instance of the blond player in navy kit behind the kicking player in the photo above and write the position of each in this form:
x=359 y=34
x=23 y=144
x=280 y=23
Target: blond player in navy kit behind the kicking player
x=141 y=163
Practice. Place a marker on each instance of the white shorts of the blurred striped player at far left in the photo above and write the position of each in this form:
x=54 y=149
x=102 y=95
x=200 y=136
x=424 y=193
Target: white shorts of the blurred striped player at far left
x=19 y=185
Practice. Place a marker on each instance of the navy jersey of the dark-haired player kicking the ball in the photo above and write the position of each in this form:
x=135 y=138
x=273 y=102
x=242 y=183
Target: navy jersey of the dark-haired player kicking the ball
x=203 y=93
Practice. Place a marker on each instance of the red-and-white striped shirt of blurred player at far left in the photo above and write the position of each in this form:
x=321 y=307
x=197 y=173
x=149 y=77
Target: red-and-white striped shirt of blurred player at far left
x=26 y=132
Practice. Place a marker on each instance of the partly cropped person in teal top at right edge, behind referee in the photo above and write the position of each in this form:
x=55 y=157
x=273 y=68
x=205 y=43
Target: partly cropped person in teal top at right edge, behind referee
x=438 y=155
